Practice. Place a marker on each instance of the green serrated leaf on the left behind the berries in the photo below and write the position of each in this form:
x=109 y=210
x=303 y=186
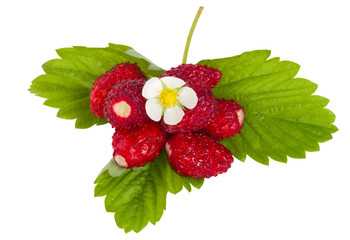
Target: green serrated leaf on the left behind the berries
x=68 y=80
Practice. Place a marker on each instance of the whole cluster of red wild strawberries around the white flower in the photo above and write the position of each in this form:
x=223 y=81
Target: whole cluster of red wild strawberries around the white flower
x=192 y=145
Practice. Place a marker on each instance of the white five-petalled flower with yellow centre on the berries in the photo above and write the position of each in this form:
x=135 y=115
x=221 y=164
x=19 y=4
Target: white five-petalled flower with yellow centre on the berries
x=167 y=96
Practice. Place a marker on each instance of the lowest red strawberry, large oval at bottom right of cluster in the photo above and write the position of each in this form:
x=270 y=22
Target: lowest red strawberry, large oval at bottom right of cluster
x=196 y=155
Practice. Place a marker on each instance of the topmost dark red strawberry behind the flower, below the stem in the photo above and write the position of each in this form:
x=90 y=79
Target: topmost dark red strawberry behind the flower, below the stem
x=196 y=74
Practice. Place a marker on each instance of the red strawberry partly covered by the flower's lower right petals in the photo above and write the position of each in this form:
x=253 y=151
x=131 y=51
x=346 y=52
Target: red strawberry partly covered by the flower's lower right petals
x=198 y=117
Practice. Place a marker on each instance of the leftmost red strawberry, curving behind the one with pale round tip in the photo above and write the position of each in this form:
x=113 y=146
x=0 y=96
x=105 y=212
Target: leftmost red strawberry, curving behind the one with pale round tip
x=107 y=81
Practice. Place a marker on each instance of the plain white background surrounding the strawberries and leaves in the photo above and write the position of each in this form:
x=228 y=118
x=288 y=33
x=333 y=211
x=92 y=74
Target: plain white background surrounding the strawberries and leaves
x=48 y=167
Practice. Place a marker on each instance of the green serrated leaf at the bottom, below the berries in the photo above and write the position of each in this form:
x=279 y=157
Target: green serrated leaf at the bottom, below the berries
x=138 y=197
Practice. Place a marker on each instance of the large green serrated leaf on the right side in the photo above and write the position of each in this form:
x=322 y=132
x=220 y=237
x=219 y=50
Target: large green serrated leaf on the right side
x=283 y=118
